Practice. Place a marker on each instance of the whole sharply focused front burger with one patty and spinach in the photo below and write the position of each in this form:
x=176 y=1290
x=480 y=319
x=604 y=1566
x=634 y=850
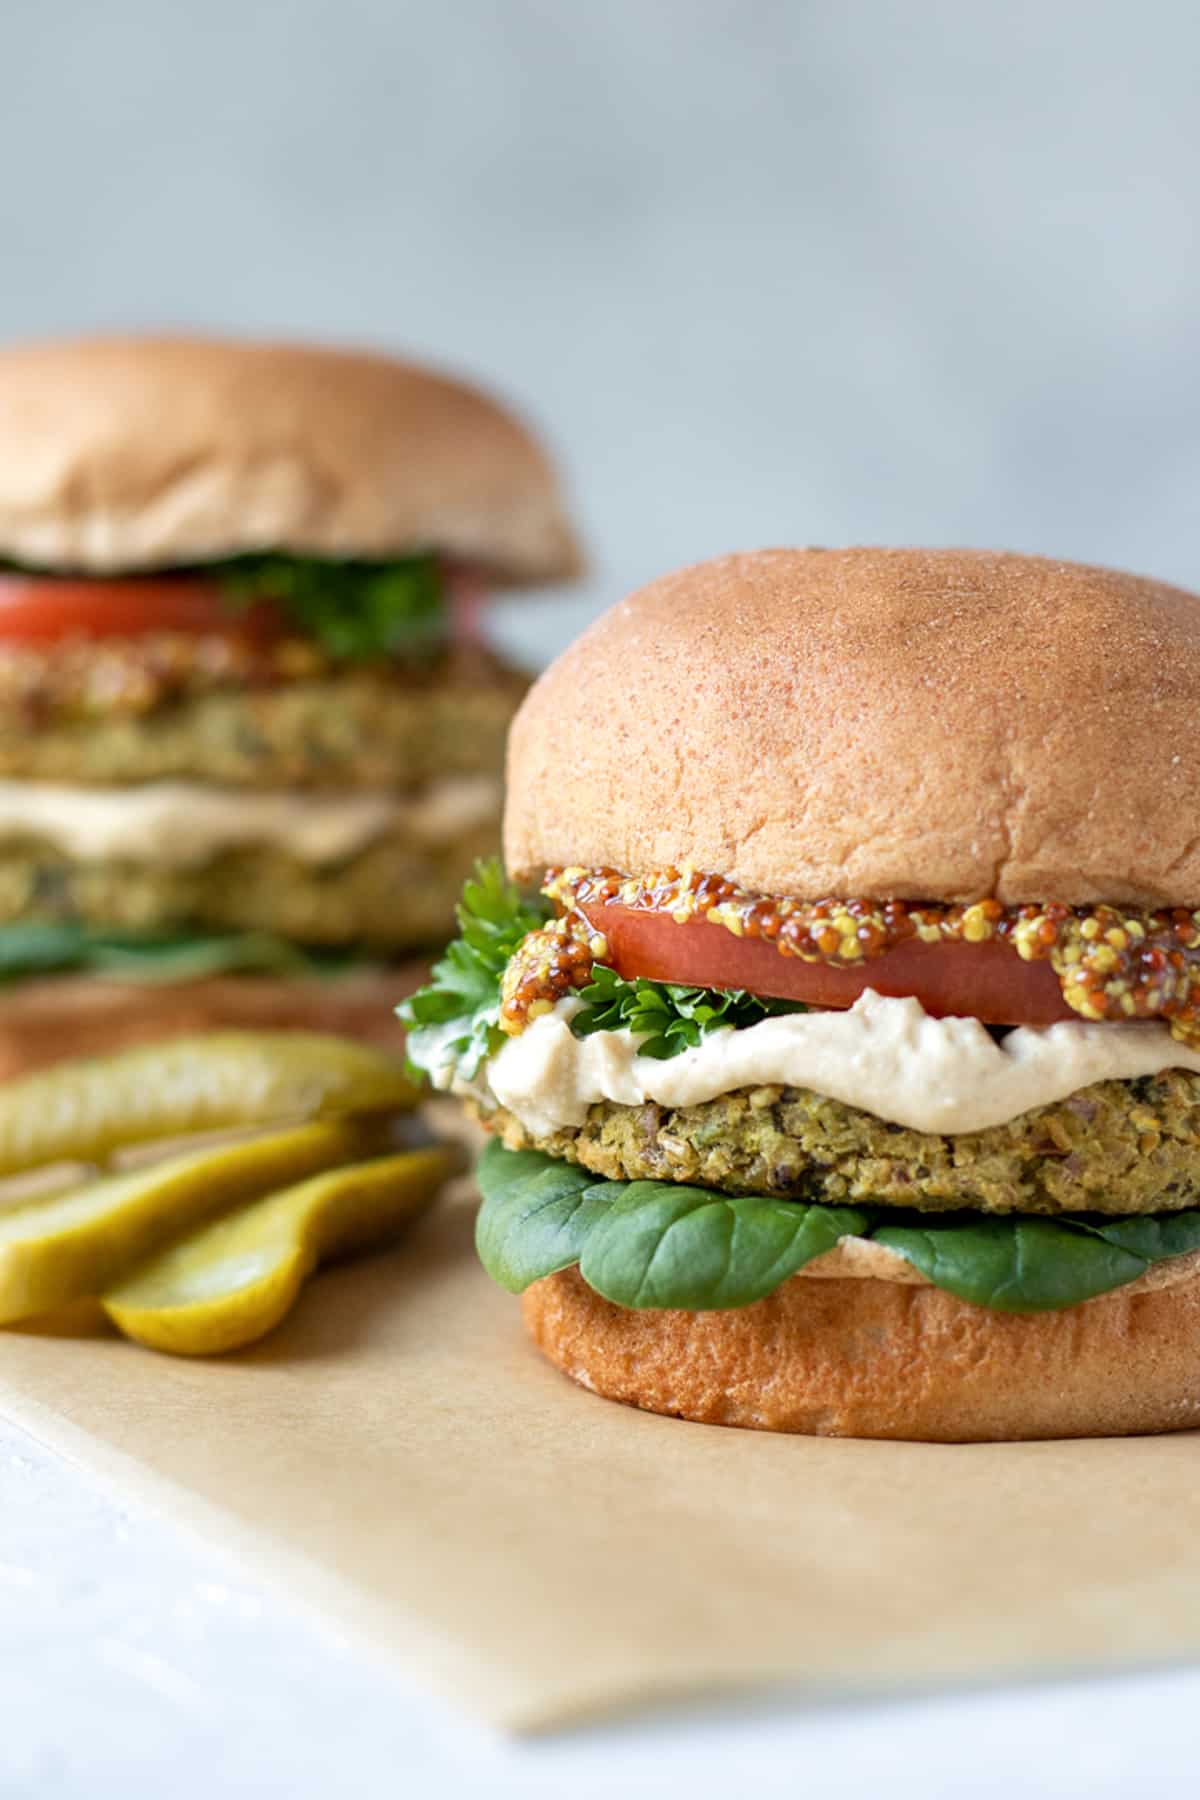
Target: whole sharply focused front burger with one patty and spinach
x=843 y=1072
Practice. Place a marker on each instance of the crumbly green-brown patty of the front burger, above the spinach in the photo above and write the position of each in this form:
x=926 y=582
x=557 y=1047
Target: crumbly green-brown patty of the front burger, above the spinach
x=1118 y=1147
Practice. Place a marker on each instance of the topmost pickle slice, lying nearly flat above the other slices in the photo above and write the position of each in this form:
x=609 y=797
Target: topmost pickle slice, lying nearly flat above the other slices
x=85 y=1111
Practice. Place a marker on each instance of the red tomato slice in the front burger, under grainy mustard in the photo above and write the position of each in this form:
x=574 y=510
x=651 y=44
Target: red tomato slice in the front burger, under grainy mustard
x=969 y=980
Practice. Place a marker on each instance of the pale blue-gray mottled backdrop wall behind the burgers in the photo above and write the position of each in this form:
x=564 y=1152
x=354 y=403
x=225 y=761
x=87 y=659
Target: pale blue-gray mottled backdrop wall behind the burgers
x=766 y=273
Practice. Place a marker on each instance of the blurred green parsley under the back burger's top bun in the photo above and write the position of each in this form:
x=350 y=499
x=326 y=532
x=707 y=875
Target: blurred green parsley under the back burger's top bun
x=355 y=611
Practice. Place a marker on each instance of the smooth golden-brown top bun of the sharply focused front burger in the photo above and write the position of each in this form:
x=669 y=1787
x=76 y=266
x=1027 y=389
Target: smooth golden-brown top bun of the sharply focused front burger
x=881 y=724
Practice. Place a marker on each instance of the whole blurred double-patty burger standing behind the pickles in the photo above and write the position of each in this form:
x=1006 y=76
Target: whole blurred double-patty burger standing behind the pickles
x=247 y=732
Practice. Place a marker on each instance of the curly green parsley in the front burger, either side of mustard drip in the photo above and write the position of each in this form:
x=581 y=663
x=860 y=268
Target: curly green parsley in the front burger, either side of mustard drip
x=456 y=1018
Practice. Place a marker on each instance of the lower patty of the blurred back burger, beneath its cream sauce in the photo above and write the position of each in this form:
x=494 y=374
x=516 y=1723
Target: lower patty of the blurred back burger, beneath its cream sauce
x=397 y=895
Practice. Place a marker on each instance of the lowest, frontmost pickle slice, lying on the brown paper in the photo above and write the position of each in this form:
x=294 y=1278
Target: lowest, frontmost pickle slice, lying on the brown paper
x=233 y=1281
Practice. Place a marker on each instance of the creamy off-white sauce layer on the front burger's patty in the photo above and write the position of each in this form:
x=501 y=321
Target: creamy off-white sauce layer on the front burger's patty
x=884 y=1056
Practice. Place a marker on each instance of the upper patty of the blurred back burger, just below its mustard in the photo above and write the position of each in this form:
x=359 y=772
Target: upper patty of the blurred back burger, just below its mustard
x=339 y=728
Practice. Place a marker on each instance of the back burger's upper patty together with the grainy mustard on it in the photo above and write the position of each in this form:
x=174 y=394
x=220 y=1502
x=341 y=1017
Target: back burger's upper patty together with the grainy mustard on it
x=134 y=712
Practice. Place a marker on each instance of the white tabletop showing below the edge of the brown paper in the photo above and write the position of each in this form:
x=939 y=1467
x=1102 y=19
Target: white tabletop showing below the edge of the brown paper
x=134 y=1660
